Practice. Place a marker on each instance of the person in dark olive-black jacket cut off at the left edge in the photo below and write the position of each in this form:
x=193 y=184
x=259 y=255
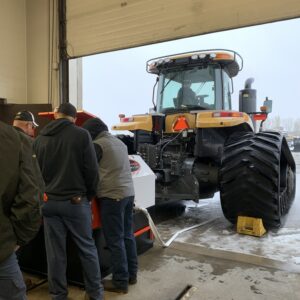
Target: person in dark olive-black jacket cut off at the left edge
x=19 y=214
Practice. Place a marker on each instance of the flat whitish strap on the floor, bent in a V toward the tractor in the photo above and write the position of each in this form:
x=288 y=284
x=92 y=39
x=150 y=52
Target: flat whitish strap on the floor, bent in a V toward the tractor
x=156 y=233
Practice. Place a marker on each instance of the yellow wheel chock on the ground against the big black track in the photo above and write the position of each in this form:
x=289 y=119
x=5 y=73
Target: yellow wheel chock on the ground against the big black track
x=250 y=226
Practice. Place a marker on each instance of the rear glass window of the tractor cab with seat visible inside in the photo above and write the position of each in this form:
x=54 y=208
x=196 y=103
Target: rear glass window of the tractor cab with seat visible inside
x=188 y=89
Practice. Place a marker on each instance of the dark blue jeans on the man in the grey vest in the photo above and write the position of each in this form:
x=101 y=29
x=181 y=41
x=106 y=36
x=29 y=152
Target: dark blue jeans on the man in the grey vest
x=117 y=222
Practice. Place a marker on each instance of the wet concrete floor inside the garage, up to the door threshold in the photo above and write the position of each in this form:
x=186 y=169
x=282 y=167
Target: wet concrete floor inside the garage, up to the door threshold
x=164 y=273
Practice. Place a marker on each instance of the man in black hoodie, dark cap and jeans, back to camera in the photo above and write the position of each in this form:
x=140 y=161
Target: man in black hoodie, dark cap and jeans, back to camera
x=68 y=163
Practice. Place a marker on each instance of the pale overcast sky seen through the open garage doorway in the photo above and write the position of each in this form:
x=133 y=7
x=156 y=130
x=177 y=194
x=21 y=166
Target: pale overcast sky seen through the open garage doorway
x=117 y=82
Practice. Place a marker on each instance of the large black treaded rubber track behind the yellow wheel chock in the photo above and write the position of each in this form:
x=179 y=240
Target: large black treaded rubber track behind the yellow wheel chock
x=257 y=177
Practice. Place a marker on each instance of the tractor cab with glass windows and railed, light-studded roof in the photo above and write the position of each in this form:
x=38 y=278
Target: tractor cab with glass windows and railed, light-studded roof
x=195 y=81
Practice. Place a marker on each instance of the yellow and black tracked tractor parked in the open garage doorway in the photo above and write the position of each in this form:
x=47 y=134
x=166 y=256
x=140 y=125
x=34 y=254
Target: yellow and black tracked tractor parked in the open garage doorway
x=197 y=145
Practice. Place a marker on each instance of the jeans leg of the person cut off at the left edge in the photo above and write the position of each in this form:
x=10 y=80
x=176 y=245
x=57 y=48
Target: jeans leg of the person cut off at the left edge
x=12 y=286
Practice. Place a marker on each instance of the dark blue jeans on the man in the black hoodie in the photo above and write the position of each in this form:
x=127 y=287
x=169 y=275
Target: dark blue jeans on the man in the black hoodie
x=61 y=217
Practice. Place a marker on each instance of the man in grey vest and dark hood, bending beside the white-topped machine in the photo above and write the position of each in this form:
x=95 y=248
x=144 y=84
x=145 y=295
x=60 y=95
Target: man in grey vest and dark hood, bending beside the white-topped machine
x=115 y=192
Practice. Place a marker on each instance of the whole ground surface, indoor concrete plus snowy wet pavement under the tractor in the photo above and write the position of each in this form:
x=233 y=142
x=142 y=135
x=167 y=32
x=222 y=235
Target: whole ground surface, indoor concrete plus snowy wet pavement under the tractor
x=214 y=261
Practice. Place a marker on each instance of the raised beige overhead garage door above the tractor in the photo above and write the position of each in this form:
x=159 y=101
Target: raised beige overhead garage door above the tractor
x=95 y=26
